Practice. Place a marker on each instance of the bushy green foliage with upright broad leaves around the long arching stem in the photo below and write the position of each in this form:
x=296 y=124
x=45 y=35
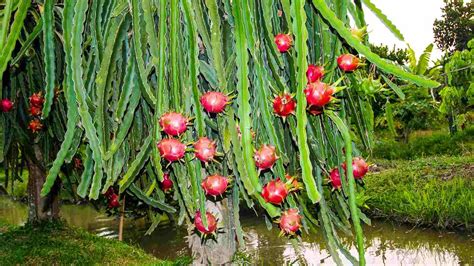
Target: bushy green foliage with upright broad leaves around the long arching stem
x=397 y=105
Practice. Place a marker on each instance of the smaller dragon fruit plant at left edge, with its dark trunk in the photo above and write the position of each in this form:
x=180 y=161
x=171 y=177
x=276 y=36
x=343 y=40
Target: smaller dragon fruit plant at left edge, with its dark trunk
x=33 y=119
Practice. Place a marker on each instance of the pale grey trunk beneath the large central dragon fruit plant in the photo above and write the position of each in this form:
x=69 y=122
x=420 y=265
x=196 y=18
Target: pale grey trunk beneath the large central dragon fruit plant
x=218 y=251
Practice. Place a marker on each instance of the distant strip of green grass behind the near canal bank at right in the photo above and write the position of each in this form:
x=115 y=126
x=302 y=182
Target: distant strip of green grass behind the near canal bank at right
x=426 y=143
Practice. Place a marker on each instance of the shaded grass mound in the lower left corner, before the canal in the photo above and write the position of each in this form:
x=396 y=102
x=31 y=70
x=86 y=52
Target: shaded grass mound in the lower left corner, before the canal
x=58 y=244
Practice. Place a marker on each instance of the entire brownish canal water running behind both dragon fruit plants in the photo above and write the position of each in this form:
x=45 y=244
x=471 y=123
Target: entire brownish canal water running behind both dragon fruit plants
x=386 y=243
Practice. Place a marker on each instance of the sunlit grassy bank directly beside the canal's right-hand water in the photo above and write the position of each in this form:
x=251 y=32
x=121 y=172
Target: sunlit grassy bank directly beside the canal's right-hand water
x=436 y=191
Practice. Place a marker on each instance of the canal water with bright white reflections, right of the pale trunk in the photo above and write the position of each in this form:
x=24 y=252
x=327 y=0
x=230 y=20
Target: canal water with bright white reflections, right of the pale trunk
x=386 y=244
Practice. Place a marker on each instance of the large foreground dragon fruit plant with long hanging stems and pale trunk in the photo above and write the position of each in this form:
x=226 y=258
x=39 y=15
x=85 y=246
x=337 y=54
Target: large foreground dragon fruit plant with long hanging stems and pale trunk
x=146 y=83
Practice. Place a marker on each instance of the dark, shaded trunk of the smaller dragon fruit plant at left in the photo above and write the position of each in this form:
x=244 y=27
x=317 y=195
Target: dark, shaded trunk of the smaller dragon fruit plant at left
x=40 y=208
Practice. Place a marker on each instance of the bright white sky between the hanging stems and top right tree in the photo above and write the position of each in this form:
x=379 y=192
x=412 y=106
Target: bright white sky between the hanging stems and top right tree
x=414 y=18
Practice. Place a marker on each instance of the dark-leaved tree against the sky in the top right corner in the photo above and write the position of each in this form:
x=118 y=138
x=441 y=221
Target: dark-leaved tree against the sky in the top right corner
x=454 y=30
